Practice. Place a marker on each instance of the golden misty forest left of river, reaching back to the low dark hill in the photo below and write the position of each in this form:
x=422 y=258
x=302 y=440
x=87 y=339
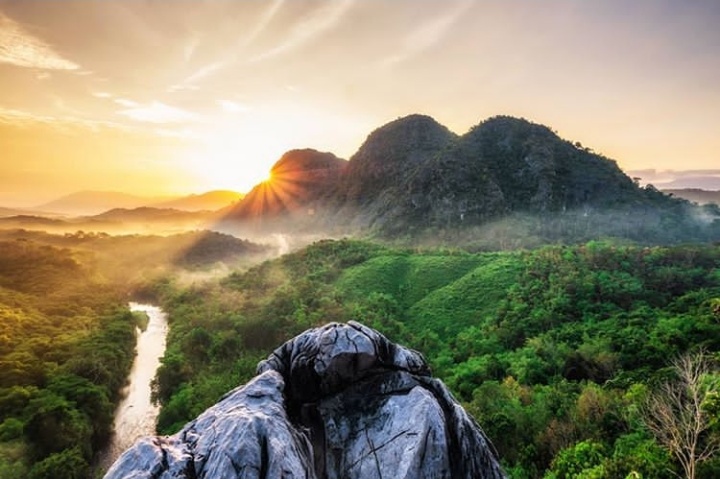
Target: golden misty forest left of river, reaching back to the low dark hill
x=67 y=339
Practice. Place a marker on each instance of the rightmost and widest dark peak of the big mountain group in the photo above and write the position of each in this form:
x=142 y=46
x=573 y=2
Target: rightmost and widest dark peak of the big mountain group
x=505 y=165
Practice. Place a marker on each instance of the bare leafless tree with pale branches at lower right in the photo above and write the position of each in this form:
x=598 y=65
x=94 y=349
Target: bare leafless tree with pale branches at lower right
x=677 y=412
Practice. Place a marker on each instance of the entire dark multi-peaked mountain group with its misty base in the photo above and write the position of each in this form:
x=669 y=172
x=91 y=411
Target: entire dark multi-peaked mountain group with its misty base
x=415 y=178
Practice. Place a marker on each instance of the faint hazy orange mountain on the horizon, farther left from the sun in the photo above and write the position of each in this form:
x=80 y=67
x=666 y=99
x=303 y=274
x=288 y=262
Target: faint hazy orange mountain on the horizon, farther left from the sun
x=94 y=202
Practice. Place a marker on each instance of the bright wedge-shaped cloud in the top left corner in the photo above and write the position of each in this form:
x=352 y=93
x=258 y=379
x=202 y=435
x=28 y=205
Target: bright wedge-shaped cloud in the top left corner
x=20 y=48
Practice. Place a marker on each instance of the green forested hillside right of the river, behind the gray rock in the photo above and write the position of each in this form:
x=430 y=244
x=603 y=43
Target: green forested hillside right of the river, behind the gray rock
x=555 y=350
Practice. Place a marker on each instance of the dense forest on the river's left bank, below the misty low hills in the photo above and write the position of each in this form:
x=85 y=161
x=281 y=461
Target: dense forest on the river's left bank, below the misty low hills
x=66 y=346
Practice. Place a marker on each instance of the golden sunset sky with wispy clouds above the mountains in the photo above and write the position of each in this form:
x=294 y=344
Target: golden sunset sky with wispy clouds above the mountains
x=174 y=97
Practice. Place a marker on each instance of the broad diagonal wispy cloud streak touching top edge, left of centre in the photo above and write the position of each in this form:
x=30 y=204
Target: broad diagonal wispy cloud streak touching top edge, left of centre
x=315 y=24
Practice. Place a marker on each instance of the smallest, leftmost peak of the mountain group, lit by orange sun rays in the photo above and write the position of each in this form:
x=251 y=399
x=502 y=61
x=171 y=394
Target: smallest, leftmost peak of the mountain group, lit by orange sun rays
x=299 y=179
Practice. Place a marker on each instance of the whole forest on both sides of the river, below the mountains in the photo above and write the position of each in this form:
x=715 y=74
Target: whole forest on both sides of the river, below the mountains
x=555 y=350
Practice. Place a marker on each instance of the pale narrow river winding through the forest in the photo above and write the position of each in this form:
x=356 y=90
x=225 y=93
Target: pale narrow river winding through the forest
x=136 y=415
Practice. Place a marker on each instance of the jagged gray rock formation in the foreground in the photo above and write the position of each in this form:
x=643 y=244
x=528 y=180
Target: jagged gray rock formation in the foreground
x=340 y=401
